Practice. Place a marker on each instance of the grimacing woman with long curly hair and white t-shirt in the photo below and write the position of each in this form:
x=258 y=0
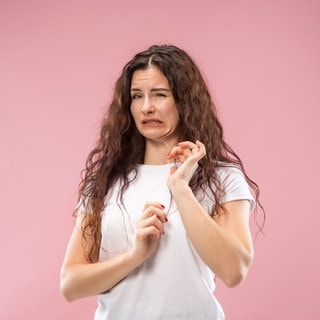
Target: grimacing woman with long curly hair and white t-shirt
x=164 y=203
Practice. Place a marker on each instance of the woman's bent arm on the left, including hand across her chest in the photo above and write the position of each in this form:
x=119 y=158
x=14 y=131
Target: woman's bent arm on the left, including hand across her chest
x=80 y=278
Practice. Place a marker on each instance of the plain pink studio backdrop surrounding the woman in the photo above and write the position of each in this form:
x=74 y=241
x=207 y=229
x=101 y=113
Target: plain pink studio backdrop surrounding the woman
x=58 y=63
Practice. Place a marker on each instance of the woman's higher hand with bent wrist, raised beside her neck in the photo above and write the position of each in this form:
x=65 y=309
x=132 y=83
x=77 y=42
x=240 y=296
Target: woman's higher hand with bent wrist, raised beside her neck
x=188 y=154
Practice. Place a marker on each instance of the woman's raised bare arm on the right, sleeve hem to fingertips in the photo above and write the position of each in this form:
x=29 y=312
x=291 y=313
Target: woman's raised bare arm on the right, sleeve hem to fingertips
x=224 y=243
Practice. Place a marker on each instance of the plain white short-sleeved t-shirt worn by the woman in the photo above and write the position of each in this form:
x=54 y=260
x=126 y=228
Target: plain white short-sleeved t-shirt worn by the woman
x=174 y=283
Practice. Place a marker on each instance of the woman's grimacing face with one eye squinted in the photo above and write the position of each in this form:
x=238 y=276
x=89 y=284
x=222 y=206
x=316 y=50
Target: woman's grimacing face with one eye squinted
x=152 y=105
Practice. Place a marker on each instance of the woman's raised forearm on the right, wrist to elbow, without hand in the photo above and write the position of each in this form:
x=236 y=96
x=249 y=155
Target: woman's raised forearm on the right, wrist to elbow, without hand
x=223 y=252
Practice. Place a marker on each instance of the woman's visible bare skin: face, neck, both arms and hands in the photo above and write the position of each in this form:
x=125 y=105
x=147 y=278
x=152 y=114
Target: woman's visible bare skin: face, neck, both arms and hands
x=224 y=243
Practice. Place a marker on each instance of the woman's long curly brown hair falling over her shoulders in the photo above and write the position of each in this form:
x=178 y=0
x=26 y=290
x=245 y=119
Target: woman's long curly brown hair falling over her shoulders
x=121 y=147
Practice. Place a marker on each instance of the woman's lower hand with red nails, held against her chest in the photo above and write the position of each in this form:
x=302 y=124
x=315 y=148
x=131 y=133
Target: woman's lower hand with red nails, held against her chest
x=149 y=229
